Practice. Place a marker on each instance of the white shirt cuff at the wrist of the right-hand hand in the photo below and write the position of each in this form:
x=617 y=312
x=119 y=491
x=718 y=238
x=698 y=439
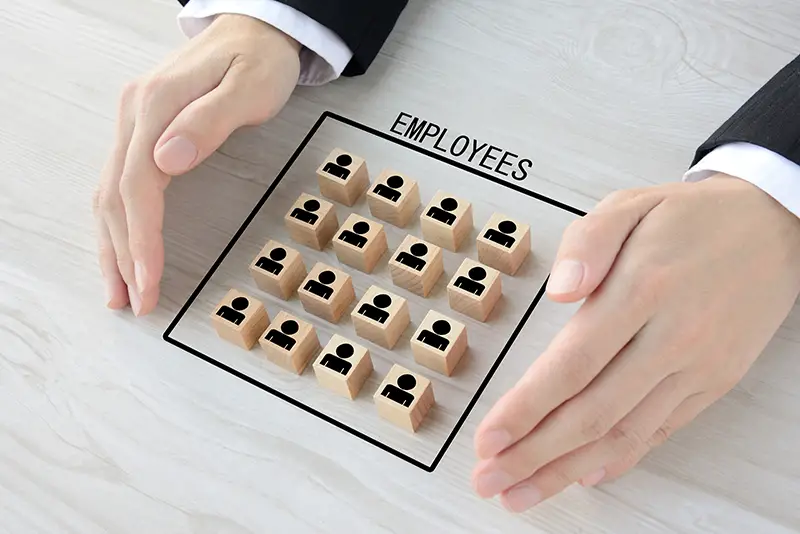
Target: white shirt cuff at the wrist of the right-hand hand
x=771 y=172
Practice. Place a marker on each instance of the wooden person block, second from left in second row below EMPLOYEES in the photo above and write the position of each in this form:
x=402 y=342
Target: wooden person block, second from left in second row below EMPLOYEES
x=360 y=243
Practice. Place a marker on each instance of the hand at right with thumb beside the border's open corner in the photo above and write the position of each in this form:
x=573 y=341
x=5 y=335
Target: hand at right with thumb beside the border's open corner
x=686 y=284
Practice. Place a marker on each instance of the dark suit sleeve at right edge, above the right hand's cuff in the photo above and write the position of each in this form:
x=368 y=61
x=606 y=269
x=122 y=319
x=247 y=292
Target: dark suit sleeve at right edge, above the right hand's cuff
x=770 y=119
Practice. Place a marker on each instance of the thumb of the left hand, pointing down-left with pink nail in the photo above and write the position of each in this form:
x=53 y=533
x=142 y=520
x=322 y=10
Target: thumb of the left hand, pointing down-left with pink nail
x=202 y=126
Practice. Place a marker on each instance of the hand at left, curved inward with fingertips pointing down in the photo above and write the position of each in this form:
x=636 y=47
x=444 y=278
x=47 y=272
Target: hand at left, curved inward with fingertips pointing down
x=238 y=72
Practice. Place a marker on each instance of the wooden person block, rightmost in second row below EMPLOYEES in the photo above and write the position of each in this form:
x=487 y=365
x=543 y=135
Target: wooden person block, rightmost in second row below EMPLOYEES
x=475 y=289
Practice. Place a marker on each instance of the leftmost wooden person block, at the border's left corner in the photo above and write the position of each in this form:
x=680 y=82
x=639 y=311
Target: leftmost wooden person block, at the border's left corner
x=240 y=319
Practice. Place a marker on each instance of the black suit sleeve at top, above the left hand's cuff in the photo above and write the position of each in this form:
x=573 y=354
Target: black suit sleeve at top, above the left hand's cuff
x=363 y=25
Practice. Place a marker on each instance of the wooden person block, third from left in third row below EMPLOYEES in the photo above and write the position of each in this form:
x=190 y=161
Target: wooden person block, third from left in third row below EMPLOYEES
x=381 y=317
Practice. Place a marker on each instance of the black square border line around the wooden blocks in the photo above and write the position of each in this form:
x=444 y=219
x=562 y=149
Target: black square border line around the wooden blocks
x=167 y=336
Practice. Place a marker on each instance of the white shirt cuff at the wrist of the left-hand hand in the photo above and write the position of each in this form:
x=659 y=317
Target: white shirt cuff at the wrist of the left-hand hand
x=324 y=55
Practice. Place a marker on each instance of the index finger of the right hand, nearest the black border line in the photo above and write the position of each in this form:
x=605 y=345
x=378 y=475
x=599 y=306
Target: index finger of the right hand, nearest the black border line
x=579 y=352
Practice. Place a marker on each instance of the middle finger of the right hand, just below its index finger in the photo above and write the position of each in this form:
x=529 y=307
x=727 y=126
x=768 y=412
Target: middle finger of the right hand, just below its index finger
x=587 y=417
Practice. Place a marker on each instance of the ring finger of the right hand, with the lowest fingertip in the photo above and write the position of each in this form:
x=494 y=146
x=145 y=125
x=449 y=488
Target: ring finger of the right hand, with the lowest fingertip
x=628 y=435
